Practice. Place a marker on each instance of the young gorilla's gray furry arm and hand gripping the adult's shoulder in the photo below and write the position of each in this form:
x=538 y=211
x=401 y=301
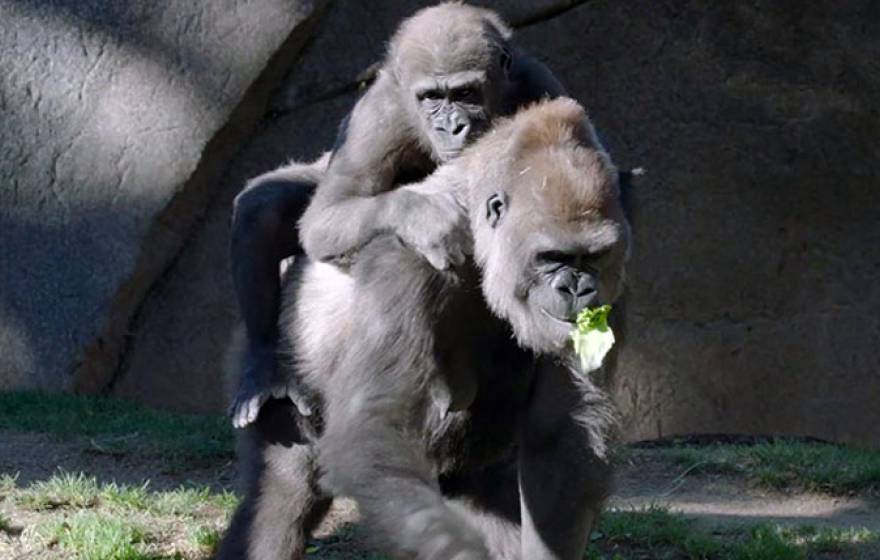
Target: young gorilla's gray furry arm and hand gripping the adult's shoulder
x=355 y=200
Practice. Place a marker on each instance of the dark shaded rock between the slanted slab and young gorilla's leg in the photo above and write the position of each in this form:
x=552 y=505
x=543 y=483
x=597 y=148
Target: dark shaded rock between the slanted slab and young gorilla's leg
x=182 y=334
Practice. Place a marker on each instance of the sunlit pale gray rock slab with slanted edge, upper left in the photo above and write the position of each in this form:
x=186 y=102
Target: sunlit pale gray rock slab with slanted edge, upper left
x=117 y=118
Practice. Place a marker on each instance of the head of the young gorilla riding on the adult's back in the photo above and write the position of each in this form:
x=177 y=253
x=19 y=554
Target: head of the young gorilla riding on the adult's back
x=451 y=63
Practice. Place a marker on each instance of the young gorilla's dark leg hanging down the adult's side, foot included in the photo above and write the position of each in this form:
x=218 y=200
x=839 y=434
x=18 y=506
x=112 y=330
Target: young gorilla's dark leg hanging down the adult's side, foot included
x=264 y=233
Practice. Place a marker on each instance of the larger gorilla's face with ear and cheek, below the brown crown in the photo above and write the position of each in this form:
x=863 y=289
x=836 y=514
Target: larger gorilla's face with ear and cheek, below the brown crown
x=555 y=268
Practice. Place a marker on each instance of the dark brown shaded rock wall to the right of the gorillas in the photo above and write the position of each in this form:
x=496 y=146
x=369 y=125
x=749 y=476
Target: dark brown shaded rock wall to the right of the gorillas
x=755 y=295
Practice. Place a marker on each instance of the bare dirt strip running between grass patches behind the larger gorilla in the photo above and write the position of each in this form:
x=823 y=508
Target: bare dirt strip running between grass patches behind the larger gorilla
x=644 y=479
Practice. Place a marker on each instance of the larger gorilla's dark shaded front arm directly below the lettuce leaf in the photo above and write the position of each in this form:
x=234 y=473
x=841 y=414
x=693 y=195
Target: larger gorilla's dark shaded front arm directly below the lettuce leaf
x=564 y=474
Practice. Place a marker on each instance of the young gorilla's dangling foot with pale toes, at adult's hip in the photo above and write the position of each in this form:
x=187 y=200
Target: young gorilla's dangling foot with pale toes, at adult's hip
x=259 y=382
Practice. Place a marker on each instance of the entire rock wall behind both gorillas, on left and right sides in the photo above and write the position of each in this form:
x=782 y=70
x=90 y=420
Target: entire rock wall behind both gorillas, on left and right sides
x=754 y=300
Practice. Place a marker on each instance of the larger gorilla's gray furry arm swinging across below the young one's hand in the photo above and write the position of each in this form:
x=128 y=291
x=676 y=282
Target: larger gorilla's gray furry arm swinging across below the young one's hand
x=372 y=448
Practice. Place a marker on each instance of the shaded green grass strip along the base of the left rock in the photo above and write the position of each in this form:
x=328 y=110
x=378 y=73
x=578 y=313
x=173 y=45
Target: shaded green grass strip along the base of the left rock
x=117 y=426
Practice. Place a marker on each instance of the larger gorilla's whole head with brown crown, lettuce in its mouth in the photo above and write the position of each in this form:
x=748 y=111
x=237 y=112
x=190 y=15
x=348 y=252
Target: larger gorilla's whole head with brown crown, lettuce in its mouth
x=549 y=232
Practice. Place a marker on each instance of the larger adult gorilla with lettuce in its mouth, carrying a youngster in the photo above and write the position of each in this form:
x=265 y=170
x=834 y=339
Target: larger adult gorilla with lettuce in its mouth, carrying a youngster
x=452 y=408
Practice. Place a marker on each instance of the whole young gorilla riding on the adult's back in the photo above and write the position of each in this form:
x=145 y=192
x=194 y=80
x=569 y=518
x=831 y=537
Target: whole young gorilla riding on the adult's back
x=449 y=70
